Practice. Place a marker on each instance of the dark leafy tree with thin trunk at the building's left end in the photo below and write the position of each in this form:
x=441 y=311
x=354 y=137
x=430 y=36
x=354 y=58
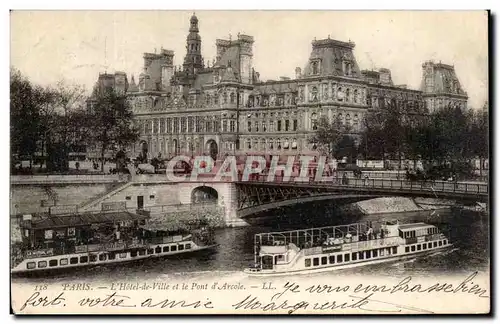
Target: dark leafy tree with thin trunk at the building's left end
x=111 y=121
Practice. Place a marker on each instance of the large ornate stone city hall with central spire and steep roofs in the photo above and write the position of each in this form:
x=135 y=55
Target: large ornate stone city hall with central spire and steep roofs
x=222 y=107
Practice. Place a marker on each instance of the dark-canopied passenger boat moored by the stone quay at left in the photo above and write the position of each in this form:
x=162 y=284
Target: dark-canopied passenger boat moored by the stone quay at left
x=57 y=242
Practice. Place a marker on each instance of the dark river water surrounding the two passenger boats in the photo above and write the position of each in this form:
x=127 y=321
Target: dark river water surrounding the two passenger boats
x=468 y=231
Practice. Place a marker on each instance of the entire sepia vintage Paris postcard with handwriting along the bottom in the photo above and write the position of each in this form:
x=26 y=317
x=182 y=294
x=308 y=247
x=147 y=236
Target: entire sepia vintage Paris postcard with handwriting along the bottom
x=249 y=162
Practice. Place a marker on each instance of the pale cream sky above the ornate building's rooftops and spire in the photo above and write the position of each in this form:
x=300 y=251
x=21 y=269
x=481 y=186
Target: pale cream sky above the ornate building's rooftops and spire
x=75 y=46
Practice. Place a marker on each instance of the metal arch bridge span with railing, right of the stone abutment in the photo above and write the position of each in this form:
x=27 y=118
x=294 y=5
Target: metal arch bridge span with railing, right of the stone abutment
x=258 y=195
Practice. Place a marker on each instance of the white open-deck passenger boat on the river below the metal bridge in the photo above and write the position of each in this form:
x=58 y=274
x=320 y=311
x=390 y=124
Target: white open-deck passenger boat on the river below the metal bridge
x=339 y=247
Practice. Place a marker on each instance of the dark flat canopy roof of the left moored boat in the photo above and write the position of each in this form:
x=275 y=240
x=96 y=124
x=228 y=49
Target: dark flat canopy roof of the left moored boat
x=75 y=220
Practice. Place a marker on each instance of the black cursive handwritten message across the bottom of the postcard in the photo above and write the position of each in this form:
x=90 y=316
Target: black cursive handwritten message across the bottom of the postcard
x=291 y=297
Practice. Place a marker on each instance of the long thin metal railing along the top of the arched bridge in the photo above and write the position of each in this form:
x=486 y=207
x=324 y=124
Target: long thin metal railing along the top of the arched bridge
x=393 y=184
